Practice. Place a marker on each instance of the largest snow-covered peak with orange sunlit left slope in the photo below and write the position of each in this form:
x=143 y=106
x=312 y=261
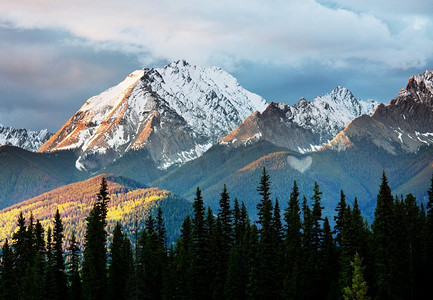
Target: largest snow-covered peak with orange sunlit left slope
x=175 y=113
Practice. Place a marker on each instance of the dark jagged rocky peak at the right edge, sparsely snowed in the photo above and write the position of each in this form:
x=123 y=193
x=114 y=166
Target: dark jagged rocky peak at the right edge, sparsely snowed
x=402 y=126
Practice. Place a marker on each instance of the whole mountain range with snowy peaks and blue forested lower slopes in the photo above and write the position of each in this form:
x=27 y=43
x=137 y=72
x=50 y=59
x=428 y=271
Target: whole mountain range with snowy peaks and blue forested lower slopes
x=182 y=126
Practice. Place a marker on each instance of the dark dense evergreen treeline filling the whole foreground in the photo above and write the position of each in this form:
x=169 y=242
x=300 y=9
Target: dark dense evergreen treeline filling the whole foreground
x=290 y=254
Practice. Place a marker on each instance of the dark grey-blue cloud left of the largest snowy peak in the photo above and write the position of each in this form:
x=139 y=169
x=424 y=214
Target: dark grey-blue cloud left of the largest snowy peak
x=44 y=80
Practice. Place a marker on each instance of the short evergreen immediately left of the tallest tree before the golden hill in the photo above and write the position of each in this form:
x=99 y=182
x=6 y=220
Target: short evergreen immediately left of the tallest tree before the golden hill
x=73 y=269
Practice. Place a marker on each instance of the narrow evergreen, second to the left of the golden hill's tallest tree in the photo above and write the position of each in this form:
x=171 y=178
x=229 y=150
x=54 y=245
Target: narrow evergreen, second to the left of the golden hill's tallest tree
x=59 y=262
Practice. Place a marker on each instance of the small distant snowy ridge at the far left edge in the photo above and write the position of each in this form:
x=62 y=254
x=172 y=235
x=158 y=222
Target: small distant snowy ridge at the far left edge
x=23 y=138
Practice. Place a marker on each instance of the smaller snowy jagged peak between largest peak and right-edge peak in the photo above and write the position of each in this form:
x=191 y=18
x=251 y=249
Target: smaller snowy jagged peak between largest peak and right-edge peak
x=304 y=126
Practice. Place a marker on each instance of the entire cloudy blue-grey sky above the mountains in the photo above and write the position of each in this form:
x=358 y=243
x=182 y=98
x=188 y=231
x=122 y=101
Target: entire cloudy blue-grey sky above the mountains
x=54 y=54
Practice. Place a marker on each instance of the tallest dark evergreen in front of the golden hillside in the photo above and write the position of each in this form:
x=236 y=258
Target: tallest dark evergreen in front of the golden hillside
x=95 y=251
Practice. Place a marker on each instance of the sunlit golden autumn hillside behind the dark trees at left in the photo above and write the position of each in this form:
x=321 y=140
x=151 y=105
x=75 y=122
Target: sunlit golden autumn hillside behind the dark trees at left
x=75 y=201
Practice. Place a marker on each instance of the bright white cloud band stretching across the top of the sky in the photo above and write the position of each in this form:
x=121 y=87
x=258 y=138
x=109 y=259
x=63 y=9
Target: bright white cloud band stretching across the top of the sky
x=226 y=32
